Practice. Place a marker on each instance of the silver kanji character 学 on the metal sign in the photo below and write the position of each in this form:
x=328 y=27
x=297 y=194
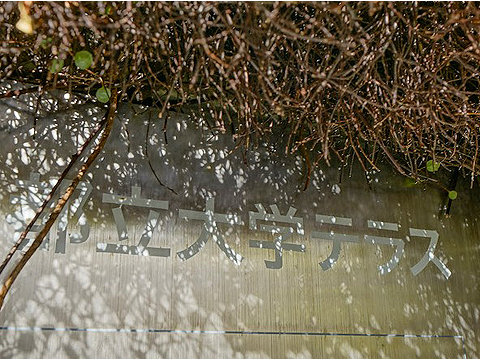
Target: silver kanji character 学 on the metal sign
x=282 y=232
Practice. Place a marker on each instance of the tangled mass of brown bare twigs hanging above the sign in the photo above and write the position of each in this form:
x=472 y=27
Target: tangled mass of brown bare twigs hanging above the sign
x=366 y=81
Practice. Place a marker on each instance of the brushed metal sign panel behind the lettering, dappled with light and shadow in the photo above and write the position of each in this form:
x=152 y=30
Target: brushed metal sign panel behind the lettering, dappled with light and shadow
x=83 y=288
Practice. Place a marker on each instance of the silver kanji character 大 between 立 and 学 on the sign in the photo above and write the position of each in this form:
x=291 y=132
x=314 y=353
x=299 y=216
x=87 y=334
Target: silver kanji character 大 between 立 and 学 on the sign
x=210 y=228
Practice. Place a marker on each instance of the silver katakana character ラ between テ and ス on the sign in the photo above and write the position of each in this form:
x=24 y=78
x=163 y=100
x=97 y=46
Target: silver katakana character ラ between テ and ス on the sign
x=398 y=243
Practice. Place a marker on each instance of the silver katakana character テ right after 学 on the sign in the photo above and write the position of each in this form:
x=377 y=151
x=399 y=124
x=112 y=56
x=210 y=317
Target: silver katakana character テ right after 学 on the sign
x=335 y=237
